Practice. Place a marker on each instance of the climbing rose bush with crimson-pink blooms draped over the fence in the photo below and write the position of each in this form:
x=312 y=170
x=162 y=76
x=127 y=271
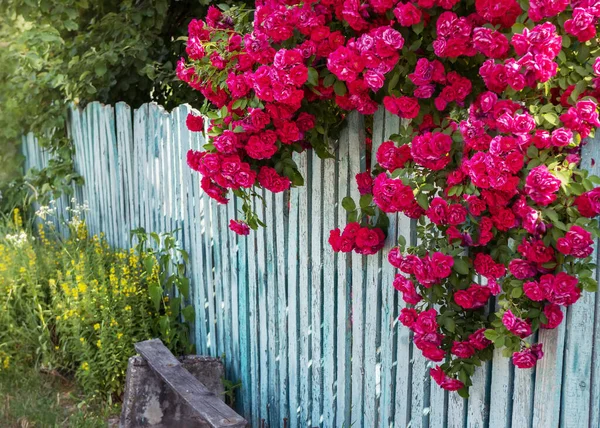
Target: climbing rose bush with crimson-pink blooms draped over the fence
x=496 y=101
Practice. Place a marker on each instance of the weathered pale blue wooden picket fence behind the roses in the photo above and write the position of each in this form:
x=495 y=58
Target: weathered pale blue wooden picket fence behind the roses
x=312 y=335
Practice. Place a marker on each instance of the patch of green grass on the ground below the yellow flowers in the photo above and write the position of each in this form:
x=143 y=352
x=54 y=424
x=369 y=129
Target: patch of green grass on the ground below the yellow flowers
x=32 y=399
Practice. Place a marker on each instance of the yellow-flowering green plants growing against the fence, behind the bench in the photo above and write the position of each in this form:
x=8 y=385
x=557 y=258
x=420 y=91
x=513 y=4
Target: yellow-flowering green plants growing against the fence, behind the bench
x=78 y=306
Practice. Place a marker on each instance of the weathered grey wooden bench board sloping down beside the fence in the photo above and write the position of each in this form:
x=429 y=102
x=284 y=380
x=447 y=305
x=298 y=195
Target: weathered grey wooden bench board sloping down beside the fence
x=206 y=404
